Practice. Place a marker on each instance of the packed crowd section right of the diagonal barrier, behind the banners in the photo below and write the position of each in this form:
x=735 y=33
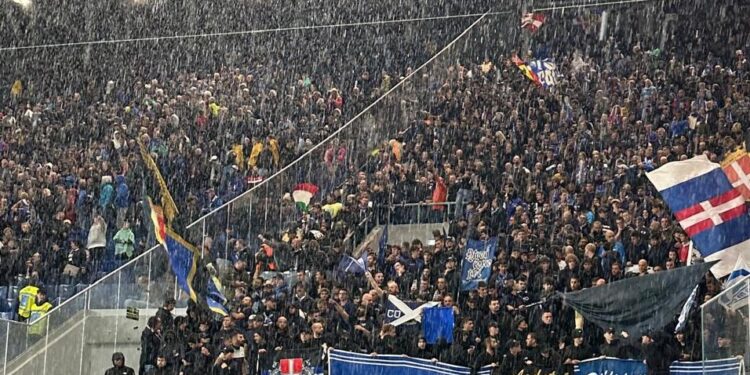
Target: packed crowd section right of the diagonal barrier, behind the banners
x=557 y=175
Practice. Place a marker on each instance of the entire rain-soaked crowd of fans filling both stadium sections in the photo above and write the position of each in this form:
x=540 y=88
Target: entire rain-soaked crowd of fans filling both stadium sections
x=557 y=175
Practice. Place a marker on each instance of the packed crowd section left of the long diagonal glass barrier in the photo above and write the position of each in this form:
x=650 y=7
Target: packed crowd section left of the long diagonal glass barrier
x=71 y=178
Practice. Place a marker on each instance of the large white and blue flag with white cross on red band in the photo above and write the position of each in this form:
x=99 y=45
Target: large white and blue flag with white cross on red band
x=710 y=210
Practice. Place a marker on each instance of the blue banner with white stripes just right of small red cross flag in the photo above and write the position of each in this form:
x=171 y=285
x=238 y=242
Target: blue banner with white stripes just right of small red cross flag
x=346 y=363
